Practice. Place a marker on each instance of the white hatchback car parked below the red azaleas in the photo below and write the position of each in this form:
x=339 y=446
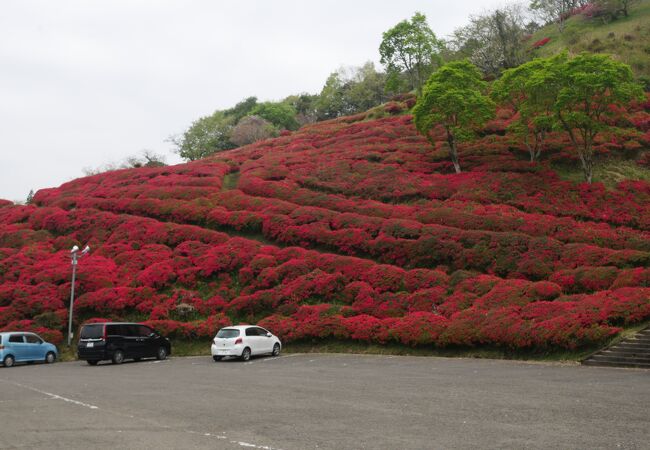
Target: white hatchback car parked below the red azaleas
x=243 y=341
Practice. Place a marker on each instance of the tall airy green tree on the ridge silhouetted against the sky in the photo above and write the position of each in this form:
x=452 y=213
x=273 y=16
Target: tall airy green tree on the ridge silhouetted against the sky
x=410 y=47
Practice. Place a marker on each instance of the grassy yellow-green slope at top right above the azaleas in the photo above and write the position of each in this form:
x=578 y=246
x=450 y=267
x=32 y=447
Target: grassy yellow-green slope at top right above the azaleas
x=627 y=38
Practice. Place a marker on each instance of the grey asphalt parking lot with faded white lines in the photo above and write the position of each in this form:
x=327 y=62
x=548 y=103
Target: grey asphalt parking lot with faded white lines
x=309 y=401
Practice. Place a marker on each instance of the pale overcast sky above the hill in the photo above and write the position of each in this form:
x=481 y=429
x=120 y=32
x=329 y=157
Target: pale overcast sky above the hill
x=85 y=83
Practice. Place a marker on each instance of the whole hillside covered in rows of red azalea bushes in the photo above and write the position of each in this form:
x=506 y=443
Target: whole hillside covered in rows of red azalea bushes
x=349 y=229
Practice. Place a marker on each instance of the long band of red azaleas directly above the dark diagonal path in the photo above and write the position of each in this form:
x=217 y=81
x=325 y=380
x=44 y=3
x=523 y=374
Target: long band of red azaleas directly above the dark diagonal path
x=394 y=241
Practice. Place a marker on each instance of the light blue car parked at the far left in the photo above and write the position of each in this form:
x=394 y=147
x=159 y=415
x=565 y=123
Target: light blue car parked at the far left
x=19 y=346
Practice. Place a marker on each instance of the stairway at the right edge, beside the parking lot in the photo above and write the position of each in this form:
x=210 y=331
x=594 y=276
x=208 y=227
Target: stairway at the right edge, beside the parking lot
x=631 y=352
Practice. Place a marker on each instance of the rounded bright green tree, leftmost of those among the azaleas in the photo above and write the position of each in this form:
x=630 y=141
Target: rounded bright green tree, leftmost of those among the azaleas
x=453 y=98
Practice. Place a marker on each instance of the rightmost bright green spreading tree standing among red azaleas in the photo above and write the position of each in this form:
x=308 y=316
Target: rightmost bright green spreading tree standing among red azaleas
x=589 y=85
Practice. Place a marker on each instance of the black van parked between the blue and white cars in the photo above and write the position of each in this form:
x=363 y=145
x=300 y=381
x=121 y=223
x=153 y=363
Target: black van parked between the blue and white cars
x=119 y=341
